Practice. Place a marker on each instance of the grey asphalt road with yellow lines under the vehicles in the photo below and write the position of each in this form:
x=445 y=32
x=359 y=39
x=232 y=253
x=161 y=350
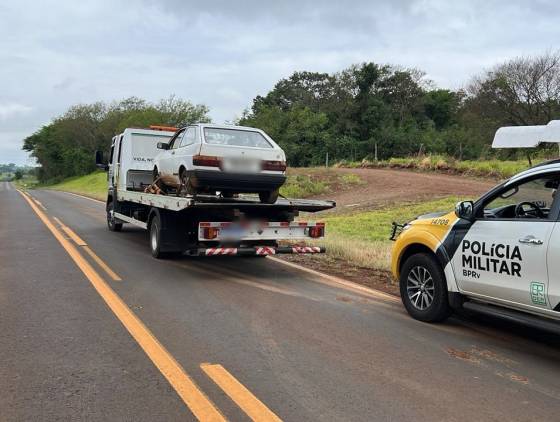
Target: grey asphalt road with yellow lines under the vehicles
x=76 y=344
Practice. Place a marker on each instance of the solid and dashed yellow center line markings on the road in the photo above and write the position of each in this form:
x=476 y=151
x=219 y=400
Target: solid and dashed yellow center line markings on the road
x=199 y=404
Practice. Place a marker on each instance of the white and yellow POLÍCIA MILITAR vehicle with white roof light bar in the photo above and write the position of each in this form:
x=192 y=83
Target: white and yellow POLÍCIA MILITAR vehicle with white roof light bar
x=499 y=254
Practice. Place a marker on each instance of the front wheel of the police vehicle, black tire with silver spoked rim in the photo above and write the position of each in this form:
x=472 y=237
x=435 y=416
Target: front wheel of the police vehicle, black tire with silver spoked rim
x=424 y=289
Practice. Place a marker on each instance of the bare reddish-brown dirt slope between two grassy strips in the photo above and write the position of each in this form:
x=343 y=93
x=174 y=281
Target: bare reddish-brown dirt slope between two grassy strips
x=383 y=187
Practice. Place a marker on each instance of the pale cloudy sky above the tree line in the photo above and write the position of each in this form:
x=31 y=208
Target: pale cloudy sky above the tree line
x=54 y=54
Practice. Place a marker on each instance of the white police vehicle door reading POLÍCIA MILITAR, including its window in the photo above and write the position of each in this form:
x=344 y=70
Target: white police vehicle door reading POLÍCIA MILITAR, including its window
x=503 y=255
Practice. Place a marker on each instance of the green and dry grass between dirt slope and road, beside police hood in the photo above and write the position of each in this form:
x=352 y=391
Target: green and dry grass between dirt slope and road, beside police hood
x=362 y=238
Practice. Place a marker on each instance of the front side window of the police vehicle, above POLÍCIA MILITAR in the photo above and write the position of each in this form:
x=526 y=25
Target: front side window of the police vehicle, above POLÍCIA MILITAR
x=528 y=200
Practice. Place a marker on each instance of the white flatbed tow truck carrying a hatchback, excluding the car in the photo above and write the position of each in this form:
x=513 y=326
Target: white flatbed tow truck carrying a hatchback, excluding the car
x=199 y=225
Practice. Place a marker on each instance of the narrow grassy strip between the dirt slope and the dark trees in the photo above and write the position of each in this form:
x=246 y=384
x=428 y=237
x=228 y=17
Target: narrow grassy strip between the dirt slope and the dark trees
x=440 y=163
